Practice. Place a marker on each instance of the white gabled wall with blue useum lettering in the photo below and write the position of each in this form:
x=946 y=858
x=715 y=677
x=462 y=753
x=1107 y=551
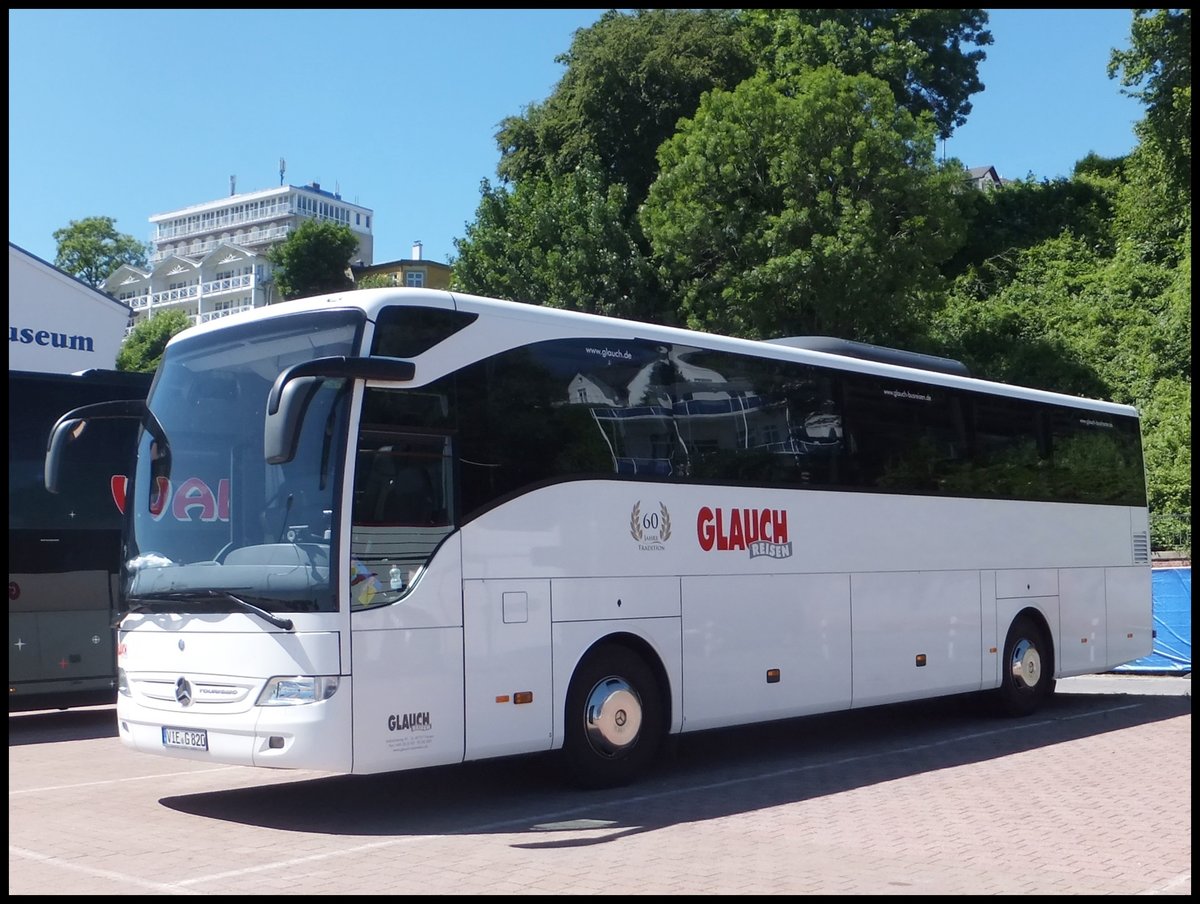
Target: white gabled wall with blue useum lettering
x=58 y=325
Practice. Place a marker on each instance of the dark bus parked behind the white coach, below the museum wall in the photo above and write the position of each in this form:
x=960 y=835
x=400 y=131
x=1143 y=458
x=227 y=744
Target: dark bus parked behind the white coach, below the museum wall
x=65 y=549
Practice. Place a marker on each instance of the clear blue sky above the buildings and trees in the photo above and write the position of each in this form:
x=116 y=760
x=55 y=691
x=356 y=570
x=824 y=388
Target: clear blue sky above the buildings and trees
x=130 y=113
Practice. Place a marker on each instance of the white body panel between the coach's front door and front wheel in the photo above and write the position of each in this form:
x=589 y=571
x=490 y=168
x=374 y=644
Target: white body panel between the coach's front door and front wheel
x=509 y=701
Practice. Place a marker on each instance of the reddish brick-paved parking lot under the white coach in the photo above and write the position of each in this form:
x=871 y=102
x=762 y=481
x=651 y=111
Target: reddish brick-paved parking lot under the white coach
x=1090 y=797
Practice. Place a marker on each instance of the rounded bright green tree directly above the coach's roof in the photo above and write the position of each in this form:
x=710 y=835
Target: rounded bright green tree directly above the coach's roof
x=818 y=209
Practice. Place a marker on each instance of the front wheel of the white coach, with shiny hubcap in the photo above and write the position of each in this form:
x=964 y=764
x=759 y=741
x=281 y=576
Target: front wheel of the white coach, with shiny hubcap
x=615 y=726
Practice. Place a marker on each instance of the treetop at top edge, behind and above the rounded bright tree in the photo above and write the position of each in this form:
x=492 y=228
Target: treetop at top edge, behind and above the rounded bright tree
x=922 y=55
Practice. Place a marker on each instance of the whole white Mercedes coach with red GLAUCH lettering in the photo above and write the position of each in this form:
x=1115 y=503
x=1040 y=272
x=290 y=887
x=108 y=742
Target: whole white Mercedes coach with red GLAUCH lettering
x=398 y=529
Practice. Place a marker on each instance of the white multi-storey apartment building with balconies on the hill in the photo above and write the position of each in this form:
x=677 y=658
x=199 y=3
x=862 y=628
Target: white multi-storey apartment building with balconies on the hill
x=211 y=260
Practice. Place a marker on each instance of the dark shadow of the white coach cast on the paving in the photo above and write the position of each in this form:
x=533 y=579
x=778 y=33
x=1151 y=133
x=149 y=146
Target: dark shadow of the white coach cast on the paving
x=704 y=776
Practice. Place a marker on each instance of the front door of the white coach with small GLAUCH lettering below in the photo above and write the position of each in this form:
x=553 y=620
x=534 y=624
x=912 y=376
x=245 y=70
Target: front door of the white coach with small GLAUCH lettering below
x=405 y=588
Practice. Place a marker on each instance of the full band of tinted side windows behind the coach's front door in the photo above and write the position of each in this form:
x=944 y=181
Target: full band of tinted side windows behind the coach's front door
x=637 y=410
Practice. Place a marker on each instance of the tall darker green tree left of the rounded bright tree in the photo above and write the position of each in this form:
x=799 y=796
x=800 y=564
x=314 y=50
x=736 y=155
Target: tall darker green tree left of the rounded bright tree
x=562 y=228
